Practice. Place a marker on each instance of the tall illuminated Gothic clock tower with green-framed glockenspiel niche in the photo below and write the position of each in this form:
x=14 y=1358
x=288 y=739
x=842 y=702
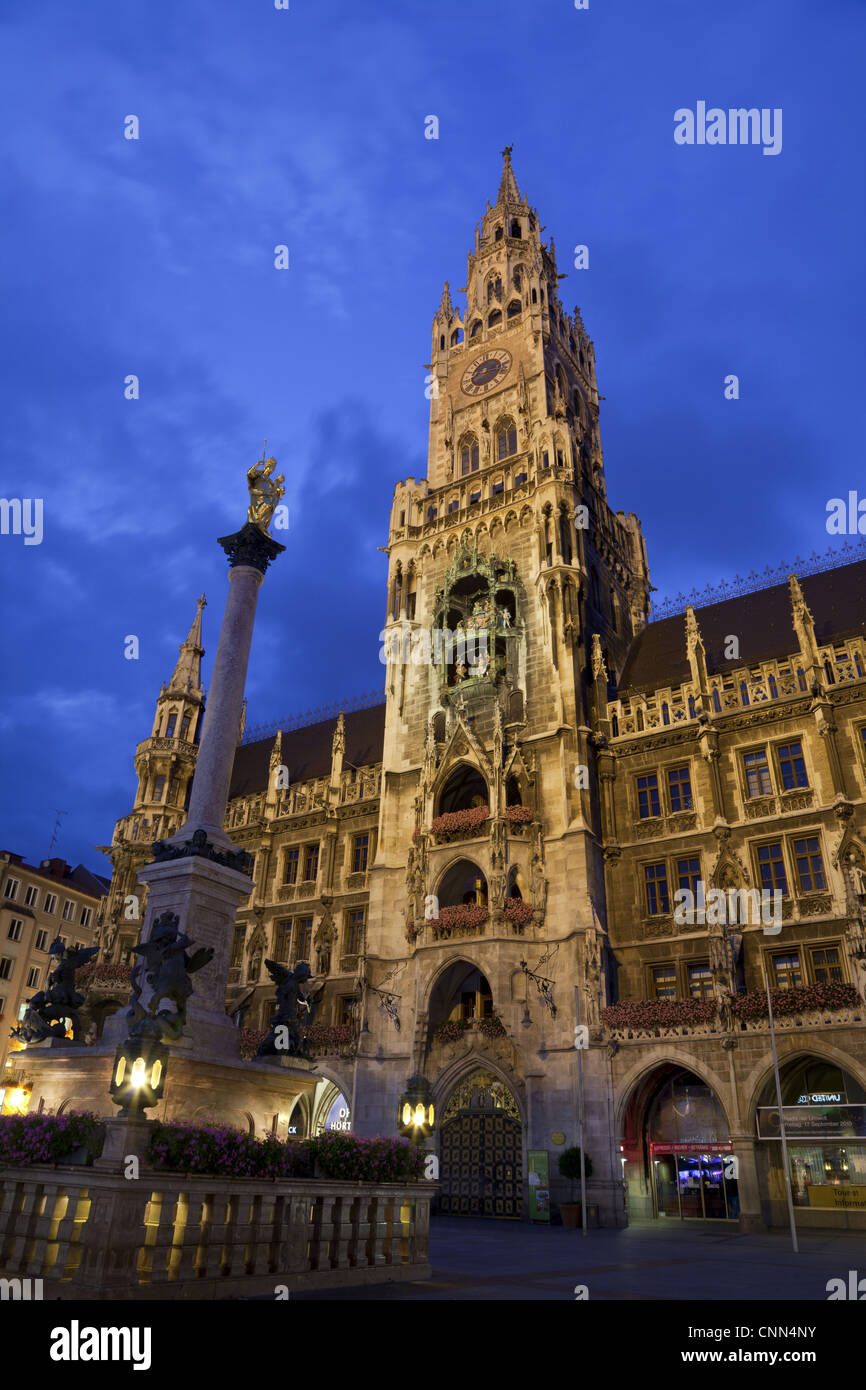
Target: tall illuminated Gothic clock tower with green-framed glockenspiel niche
x=515 y=593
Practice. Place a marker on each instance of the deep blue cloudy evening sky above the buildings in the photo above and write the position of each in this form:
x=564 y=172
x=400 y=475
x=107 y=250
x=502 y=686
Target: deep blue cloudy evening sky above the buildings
x=307 y=127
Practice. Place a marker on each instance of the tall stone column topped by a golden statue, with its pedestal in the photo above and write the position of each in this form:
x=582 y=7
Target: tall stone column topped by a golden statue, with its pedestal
x=199 y=874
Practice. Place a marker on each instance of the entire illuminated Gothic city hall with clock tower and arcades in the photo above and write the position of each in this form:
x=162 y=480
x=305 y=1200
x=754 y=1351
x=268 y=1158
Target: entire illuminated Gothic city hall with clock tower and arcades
x=484 y=868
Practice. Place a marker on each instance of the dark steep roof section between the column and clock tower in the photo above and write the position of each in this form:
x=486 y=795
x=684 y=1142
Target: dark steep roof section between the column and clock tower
x=307 y=753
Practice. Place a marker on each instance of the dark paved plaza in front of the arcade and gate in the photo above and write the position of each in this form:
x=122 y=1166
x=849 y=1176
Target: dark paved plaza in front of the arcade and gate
x=491 y=1260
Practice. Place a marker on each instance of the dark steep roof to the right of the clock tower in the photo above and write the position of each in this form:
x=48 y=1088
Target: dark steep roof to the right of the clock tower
x=761 y=621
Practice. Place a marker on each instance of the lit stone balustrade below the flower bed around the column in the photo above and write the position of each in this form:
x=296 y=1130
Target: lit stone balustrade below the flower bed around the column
x=97 y=1235
